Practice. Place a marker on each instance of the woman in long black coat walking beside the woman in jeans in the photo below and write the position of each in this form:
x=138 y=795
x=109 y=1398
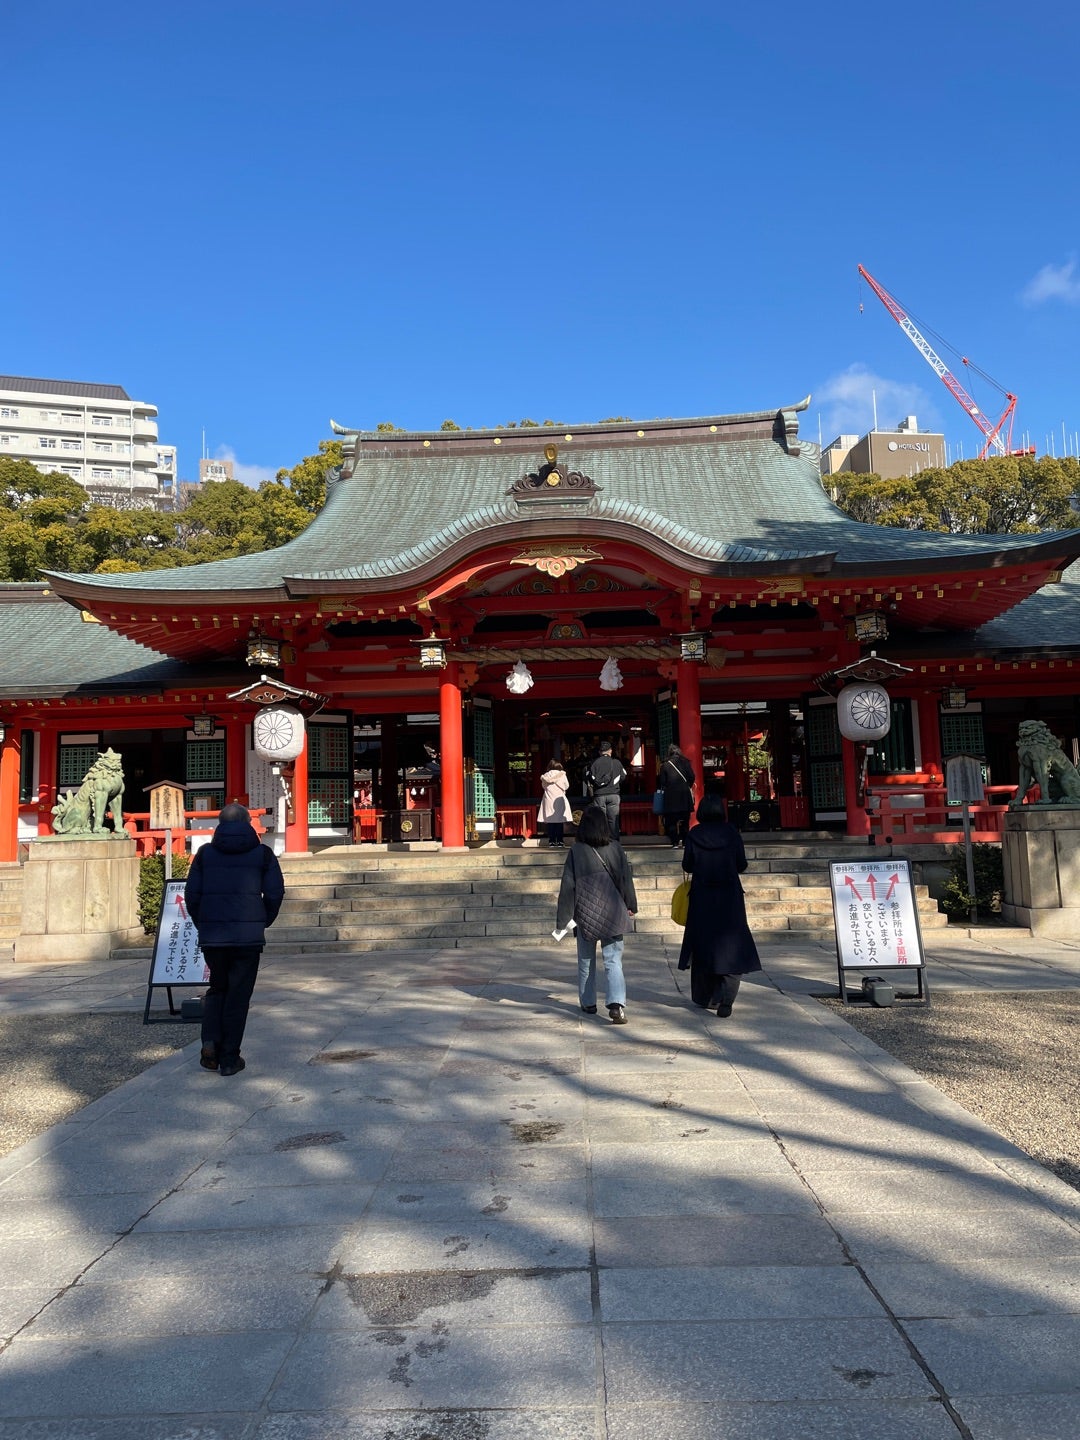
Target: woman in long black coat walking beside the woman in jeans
x=718 y=947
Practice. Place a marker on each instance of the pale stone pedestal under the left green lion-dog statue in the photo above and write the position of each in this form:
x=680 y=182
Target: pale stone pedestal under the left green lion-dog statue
x=80 y=899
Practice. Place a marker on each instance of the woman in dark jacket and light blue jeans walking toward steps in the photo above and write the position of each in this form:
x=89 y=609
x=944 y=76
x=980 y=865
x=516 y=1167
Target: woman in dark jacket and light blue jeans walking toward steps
x=598 y=895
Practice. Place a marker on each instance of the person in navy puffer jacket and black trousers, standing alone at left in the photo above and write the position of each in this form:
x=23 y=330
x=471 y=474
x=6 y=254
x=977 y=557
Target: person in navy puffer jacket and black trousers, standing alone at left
x=234 y=892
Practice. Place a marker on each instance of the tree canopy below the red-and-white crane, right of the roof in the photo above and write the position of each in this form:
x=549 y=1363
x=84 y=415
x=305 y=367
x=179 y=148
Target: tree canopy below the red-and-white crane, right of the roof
x=1006 y=495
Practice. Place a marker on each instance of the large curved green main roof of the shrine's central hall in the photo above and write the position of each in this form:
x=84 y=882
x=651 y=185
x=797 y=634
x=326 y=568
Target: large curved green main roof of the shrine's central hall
x=731 y=500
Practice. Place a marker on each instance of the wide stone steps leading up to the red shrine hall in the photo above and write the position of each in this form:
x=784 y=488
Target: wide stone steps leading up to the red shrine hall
x=365 y=899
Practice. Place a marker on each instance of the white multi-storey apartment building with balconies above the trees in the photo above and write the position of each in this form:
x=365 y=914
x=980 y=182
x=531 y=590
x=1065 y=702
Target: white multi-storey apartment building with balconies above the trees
x=97 y=434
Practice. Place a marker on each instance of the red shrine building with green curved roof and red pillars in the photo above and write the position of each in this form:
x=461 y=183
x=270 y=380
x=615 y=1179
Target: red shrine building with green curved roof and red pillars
x=472 y=606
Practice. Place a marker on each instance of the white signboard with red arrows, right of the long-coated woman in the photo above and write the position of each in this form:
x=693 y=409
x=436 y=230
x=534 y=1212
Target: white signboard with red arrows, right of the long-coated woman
x=876 y=919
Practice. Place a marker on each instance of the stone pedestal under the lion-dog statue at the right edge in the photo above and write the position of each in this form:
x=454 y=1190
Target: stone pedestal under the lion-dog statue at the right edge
x=1042 y=860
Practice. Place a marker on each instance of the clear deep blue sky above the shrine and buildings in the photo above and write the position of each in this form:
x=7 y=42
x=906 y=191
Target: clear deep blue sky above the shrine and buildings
x=263 y=215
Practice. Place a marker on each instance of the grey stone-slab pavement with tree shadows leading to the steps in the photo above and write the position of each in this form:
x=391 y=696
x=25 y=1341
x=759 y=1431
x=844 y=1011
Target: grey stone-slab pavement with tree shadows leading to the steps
x=443 y=1205
